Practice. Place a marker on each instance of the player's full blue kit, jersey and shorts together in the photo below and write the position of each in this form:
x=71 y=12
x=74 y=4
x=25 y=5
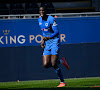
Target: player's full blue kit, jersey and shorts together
x=50 y=28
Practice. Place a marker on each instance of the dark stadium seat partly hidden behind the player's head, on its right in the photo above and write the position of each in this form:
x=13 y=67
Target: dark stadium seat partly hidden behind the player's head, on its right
x=49 y=7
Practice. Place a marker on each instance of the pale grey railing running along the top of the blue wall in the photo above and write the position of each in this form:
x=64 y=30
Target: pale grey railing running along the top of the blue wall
x=56 y=15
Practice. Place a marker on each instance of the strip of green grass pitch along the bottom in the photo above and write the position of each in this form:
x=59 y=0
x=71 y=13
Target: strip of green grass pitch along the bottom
x=91 y=82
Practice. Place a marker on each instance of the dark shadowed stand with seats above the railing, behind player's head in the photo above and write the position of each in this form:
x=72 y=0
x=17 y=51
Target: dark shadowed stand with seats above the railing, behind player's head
x=53 y=6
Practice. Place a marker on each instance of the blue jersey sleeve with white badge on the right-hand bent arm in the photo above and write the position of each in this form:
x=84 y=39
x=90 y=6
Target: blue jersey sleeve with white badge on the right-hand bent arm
x=54 y=27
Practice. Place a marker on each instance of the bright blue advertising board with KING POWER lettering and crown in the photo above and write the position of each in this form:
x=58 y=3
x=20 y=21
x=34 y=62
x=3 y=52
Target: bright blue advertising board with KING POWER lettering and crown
x=26 y=32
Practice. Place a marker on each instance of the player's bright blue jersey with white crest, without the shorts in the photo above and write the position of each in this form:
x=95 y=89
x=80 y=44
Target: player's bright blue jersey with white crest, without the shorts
x=49 y=27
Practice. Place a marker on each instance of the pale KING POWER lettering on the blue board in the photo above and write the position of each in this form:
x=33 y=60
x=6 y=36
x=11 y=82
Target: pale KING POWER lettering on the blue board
x=21 y=39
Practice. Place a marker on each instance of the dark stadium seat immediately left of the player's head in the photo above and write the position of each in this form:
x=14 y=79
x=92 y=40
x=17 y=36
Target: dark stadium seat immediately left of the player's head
x=31 y=8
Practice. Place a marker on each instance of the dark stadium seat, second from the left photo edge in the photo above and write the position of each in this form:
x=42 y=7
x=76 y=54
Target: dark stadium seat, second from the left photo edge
x=17 y=8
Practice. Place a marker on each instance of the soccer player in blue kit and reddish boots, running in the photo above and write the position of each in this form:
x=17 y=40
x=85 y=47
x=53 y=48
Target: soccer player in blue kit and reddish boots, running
x=51 y=44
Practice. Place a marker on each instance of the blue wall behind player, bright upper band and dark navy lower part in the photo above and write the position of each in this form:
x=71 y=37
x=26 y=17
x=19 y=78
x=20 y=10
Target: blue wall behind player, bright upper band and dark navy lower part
x=23 y=61
